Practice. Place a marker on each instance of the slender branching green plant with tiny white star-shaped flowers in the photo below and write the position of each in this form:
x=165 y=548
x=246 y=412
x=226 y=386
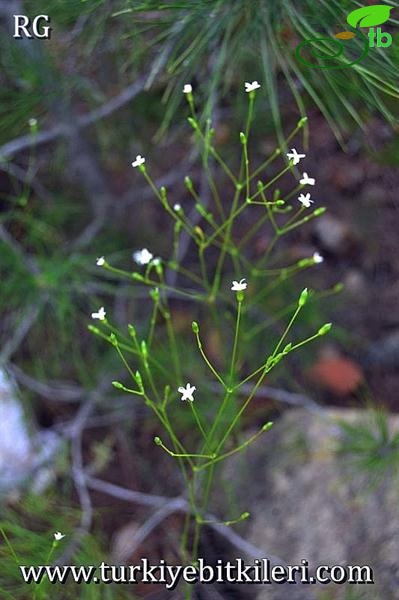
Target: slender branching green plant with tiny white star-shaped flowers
x=213 y=287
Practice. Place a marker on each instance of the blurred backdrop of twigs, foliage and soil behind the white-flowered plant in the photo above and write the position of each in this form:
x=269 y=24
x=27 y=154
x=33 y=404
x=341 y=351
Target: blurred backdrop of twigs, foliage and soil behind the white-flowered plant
x=75 y=110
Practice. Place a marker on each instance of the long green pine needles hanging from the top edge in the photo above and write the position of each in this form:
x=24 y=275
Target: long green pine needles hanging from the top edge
x=208 y=42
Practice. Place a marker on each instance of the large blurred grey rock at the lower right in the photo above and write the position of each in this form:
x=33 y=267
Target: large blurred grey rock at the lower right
x=309 y=502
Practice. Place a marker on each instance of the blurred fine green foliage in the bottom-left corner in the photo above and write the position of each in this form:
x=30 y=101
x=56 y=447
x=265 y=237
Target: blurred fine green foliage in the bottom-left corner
x=27 y=538
